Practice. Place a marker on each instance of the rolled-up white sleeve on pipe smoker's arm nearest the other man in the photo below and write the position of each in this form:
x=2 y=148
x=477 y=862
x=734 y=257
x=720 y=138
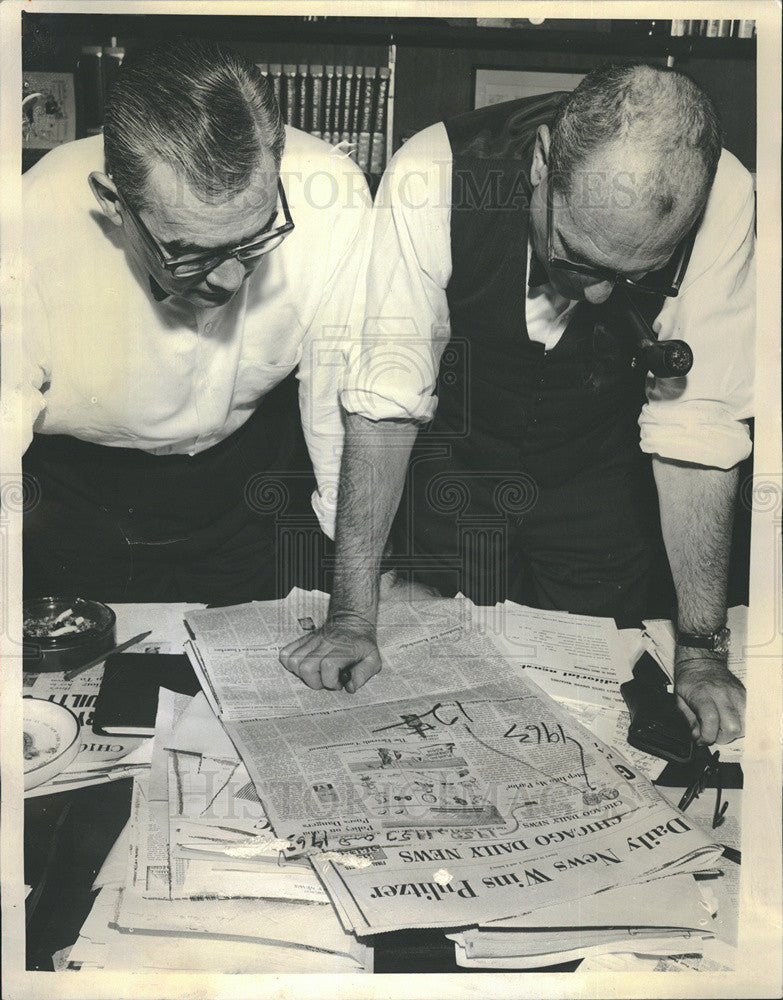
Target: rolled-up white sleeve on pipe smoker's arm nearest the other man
x=406 y=325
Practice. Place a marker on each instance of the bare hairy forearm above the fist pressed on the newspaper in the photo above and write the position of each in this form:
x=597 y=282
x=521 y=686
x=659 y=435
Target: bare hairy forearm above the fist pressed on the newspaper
x=372 y=474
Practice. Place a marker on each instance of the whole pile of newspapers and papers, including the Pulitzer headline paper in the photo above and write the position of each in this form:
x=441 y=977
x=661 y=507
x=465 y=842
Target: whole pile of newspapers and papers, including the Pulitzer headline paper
x=451 y=791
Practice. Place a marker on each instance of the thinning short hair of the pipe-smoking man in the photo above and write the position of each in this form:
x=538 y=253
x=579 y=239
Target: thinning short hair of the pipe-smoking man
x=659 y=113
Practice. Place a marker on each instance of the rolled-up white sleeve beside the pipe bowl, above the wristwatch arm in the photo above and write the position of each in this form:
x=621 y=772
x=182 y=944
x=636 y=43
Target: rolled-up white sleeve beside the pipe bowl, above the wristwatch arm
x=702 y=417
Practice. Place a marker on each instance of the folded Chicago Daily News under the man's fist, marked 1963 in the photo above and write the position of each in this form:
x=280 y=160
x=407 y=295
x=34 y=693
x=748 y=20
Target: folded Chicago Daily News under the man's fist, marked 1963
x=450 y=790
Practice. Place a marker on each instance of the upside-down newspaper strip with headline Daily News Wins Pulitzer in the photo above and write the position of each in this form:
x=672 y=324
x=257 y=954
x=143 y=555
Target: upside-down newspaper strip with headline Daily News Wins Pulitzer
x=476 y=880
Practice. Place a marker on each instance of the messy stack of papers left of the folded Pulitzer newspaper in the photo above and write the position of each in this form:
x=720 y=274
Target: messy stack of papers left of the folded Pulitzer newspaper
x=197 y=859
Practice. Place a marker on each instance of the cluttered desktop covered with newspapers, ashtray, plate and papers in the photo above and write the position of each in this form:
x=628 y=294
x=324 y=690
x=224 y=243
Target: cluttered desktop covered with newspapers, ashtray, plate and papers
x=476 y=806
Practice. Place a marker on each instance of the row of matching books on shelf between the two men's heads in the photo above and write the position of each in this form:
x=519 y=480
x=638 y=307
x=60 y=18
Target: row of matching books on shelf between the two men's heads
x=340 y=104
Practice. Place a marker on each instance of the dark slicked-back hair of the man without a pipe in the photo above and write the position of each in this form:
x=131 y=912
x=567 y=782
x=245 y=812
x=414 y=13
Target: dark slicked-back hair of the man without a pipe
x=197 y=106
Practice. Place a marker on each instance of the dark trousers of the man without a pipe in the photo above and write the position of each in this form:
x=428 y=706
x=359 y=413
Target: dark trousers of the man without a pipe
x=119 y=524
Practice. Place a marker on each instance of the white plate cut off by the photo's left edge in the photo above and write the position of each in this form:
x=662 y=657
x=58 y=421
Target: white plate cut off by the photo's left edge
x=51 y=740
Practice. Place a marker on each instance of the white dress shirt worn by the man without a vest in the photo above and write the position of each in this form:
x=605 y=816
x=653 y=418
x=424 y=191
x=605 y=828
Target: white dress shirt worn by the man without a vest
x=107 y=363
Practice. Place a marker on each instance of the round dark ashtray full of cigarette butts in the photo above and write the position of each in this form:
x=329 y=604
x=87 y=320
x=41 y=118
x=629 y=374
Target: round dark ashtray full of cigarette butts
x=61 y=633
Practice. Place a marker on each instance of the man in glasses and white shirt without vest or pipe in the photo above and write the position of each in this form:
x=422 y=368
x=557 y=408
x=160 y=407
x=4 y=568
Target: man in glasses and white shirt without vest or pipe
x=190 y=276
